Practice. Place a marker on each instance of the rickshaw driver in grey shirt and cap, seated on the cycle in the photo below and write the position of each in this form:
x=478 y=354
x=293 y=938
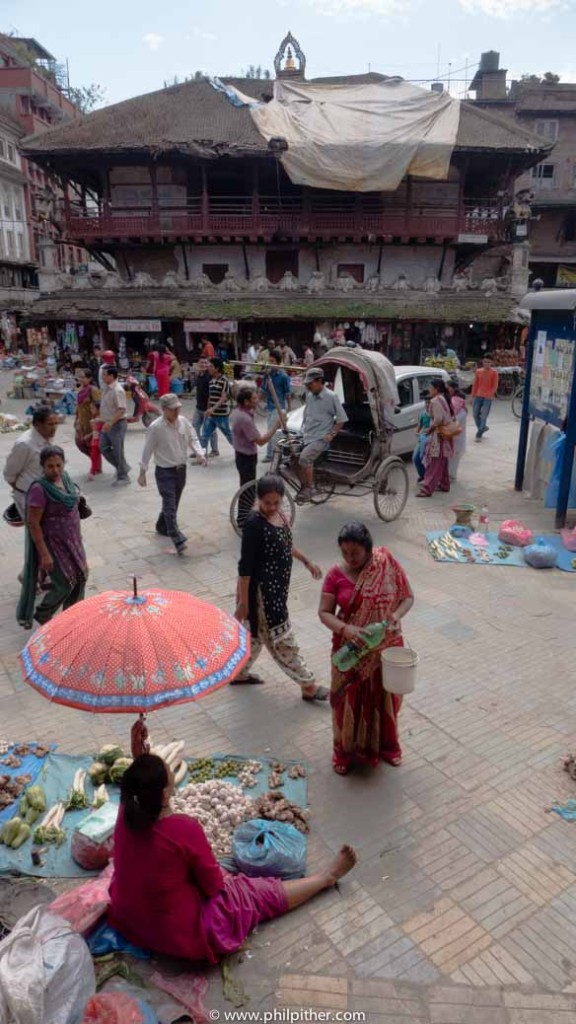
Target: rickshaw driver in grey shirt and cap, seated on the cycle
x=323 y=420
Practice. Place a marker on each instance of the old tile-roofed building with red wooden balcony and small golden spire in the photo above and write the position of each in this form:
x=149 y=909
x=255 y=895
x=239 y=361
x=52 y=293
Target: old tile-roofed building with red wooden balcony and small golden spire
x=199 y=230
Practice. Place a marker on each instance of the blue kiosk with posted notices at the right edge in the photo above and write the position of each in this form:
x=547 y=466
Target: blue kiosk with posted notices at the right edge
x=550 y=393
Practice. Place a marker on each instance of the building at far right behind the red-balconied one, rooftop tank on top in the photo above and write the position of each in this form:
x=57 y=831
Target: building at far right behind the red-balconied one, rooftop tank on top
x=548 y=191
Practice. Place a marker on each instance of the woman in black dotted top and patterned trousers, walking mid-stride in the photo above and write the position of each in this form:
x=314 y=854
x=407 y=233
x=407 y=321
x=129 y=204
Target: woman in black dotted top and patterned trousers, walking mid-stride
x=264 y=582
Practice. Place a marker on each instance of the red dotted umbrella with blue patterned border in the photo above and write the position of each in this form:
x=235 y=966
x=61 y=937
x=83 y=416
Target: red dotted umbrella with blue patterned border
x=124 y=652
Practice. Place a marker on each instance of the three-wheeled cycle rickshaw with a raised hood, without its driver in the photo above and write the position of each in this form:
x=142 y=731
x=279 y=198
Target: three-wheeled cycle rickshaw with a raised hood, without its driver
x=359 y=460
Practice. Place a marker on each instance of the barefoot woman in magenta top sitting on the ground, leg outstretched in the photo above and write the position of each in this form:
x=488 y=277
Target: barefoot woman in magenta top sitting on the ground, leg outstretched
x=170 y=893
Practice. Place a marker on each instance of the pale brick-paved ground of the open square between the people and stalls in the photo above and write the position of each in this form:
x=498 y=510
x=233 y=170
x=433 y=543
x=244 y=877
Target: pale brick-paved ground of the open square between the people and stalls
x=464 y=906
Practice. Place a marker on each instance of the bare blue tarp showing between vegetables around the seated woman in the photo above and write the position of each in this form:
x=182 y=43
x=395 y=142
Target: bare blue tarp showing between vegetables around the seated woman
x=58 y=772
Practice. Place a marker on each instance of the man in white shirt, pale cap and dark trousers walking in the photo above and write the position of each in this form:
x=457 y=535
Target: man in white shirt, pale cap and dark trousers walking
x=169 y=440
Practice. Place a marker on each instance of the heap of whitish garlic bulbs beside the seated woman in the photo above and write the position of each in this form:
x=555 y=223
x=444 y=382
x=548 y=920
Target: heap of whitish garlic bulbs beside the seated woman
x=220 y=807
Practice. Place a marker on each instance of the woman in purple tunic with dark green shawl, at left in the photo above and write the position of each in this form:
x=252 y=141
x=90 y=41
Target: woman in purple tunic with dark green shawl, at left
x=54 y=542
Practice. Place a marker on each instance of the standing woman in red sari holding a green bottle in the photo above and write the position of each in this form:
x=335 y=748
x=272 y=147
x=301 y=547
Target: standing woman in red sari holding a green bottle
x=368 y=586
